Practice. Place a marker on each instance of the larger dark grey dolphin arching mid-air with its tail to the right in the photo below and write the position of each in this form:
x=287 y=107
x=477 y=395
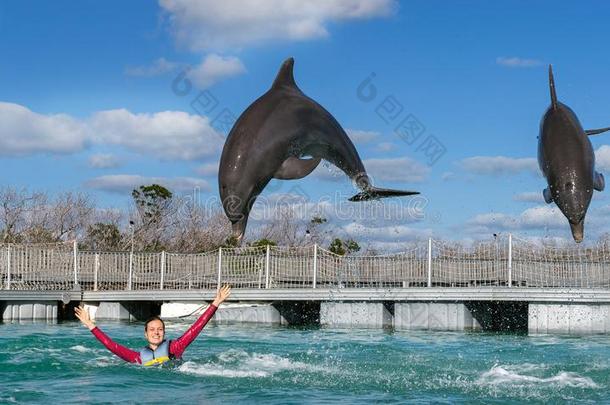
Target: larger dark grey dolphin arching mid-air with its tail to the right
x=284 y=135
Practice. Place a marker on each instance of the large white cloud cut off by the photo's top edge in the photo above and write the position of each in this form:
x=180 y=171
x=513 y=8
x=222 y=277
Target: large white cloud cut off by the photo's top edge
x=212 y=24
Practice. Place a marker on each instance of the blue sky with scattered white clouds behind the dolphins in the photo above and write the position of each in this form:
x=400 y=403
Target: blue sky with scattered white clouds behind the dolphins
x=87 y=94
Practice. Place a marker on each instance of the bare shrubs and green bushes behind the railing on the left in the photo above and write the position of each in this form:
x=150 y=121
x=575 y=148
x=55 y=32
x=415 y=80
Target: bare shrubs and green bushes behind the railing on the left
x=155 y=220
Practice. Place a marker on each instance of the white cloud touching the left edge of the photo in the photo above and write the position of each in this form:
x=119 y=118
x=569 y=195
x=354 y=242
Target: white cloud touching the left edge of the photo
x=24 y=132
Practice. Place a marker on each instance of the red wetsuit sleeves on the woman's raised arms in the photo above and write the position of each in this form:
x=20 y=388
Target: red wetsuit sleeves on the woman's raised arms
x=176 y=347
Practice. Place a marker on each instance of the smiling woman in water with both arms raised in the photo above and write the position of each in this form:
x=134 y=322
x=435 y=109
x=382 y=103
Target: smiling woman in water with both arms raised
x=158 y=350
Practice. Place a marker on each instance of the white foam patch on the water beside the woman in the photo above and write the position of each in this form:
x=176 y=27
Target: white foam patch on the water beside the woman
x=239 y=364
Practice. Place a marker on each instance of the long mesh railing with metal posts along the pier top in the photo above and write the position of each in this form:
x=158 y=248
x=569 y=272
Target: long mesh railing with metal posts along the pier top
x=508 y=261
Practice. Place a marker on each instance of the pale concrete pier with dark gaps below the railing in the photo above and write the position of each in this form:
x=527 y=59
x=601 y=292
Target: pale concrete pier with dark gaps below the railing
x=536 y=311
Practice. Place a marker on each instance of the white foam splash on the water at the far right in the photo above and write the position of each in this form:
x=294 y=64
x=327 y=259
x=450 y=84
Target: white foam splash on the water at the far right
x=511 y=375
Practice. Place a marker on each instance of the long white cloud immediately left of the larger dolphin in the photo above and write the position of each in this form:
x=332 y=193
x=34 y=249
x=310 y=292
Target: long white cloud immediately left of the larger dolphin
x=167 y=134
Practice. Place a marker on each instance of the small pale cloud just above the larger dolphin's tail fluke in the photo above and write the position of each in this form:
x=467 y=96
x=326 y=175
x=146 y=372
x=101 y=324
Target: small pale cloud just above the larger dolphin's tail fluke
x=402 y=170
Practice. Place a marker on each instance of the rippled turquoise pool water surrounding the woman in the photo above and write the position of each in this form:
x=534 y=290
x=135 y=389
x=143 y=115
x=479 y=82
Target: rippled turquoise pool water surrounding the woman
x=63 y=363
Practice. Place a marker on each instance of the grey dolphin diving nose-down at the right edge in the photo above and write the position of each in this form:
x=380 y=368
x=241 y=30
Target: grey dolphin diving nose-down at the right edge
x=566 y=158
